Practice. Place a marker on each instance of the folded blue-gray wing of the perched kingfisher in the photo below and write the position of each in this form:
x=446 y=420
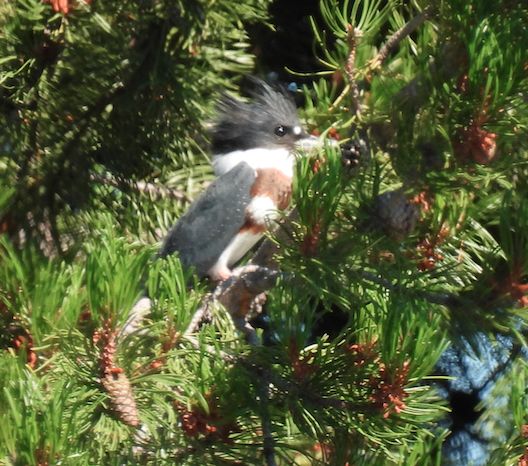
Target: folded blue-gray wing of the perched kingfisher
x=206 y=229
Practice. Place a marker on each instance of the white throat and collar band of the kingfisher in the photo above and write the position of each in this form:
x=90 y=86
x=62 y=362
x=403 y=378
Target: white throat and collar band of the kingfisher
x=281 y=159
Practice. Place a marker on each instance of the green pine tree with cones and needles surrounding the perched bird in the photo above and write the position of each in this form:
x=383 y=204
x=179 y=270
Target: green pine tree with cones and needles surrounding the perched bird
x=409 y=239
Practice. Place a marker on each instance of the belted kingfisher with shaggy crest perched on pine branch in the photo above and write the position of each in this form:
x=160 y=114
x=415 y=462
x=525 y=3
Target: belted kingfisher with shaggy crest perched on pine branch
x=254 y=146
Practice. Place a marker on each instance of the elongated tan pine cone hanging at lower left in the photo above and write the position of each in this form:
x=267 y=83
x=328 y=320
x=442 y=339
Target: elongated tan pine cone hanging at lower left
x=118 y=386
